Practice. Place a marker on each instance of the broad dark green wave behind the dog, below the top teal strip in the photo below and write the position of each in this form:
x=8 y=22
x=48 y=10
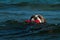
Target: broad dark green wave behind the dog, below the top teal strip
x=33 y=6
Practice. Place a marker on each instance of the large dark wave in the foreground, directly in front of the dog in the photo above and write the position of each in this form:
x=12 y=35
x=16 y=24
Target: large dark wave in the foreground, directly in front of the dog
x=11 y=28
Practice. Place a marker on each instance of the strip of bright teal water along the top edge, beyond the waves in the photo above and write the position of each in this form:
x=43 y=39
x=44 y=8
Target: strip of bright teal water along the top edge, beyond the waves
x=31 y=1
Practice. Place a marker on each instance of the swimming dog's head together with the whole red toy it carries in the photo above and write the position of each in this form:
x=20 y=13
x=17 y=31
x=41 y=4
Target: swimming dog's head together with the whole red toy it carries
x=36 y=19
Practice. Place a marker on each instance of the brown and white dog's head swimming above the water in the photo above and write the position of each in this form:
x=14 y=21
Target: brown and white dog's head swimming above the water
x=37 y=19
